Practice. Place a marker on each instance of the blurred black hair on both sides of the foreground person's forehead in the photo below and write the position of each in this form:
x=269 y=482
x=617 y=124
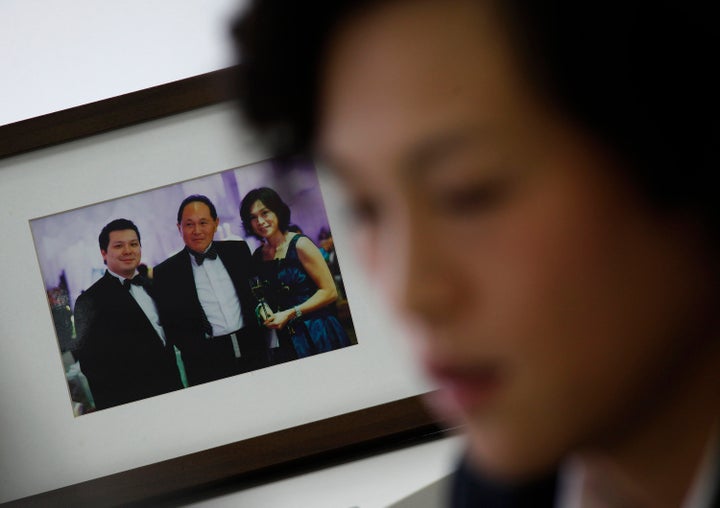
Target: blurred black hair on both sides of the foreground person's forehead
x=639 y=76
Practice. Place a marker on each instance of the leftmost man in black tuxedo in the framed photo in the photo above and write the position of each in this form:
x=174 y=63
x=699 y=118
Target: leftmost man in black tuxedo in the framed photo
x=123 y=349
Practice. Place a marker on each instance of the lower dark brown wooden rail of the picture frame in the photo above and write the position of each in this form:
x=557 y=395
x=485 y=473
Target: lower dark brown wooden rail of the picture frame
x=263 y=458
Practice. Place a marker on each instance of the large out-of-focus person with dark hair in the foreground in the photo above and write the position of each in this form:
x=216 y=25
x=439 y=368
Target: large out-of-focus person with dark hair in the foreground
x=534 y=188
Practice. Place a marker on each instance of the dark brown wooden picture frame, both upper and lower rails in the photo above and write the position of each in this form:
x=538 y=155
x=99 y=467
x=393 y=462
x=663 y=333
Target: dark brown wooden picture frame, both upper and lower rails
x=333 y=438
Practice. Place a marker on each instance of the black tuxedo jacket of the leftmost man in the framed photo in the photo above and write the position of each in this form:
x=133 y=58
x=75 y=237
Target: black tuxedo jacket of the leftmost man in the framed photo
x=120 y=353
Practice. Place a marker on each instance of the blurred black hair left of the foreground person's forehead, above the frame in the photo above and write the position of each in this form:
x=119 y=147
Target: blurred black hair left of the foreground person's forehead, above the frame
x=281 y=46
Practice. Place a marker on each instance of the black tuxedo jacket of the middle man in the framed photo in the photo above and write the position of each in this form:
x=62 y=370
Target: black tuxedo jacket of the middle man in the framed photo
x=181 y=314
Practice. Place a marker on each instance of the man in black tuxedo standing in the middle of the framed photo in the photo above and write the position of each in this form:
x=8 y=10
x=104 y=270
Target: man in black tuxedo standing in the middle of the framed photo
x=205 y=301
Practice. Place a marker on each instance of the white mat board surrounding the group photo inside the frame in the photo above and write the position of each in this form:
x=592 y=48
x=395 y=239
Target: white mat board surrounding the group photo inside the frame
x=42 y=445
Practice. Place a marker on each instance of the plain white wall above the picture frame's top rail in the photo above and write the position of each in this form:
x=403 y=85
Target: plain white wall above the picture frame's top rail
x=56 y=54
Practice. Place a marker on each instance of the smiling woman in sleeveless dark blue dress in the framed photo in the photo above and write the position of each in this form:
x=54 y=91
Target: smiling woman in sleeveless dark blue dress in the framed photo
x=297 y=282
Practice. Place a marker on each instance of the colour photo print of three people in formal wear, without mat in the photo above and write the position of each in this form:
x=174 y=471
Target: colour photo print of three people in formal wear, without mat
x=171 y=297
